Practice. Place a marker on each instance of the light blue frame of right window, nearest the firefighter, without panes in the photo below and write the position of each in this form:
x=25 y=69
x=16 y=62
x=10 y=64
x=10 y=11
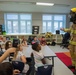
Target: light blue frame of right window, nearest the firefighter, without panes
x=53 y=15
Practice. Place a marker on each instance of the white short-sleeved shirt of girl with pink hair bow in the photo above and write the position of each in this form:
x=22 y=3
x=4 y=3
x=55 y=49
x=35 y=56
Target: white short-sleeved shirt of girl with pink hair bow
x=38 y=56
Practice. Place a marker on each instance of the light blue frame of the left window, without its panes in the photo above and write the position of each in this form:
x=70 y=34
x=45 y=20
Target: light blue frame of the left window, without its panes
x=19 y=25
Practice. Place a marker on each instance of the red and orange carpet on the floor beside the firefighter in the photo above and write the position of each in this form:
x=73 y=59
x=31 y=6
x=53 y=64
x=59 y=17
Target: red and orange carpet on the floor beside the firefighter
x=65 y=58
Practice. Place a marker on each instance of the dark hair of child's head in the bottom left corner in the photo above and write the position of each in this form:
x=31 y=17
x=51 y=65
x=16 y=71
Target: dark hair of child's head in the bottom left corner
x=6 y=68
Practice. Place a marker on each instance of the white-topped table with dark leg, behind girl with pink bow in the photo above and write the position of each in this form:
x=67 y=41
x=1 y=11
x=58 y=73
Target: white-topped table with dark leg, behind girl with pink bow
x=47 y=52
